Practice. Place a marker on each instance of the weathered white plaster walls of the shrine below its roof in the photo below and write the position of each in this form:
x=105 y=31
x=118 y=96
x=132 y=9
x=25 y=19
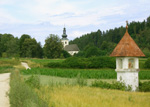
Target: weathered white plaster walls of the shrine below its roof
x=126 y=75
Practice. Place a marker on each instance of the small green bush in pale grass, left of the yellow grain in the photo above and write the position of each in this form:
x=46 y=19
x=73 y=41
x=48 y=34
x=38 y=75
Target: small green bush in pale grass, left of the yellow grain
x=33 y=81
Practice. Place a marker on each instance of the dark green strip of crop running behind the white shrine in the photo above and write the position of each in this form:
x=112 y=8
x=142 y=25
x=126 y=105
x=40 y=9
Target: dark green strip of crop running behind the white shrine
x=85 y=73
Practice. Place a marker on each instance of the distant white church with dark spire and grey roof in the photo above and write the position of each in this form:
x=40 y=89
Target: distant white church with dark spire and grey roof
x=71 y=49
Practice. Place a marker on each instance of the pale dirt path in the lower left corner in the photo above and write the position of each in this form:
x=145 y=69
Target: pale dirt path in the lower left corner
x=4 y=88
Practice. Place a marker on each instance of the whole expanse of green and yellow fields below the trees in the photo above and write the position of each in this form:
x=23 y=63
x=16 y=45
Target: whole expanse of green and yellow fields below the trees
x=63 y=87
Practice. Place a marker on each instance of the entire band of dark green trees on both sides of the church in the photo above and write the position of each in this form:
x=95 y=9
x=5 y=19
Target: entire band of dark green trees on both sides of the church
x=99 y=43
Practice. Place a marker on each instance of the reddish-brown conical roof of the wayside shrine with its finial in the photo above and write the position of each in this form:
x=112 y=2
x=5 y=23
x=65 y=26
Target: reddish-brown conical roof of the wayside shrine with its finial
x=127 y=47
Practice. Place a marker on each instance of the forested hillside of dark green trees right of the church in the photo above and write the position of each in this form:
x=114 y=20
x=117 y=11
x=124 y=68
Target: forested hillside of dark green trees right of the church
x=103 y=42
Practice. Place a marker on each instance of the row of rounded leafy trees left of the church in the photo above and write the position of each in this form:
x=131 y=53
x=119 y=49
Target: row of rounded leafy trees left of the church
x=26 y=46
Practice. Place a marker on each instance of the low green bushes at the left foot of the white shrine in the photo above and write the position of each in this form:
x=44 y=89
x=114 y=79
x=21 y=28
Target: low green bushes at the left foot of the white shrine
x=114 y=85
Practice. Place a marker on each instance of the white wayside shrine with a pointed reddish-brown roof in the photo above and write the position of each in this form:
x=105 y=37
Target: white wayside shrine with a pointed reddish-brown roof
x=127 y=55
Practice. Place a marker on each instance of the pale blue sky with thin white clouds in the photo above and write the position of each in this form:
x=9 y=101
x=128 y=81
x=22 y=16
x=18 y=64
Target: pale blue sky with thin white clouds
x=39 y=18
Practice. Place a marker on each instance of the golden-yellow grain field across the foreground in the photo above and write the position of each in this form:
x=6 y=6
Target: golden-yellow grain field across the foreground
x=75 y=96
